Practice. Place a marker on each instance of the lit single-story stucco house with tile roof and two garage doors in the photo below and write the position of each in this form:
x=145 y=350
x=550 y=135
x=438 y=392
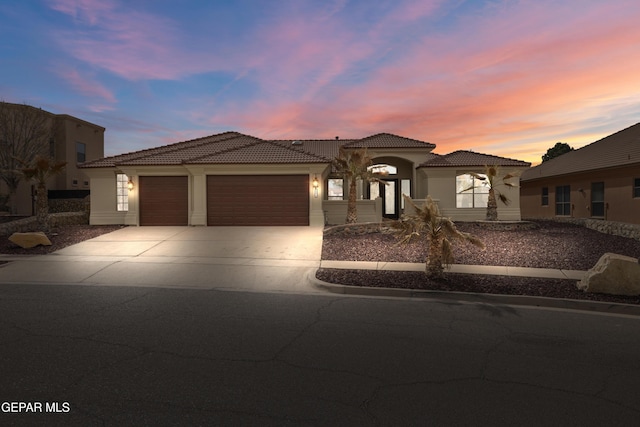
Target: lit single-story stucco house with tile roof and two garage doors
x=236 y=179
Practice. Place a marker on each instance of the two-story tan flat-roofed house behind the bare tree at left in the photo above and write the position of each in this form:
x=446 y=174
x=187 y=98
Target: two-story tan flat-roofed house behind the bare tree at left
x=72 y=140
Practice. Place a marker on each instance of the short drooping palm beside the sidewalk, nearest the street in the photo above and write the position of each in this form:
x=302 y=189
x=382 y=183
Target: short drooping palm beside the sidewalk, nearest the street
x=427 y=223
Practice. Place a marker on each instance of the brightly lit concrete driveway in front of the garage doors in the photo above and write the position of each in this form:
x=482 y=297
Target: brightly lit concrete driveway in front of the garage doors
x=249 y=258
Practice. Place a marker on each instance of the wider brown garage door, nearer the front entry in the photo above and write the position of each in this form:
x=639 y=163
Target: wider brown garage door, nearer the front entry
x=258 y=200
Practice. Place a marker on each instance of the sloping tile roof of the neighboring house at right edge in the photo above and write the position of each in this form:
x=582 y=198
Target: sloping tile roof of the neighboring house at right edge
x=619 y=149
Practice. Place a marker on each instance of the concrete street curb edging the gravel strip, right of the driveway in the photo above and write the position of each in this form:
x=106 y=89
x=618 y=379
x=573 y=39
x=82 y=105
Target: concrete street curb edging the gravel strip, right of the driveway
x=523 y=300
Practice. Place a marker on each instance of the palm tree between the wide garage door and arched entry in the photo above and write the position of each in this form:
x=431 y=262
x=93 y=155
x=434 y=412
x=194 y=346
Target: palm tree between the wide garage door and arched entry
x=353 y=165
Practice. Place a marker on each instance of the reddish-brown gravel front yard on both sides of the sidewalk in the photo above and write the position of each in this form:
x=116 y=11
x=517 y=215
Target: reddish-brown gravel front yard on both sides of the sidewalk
x=551 y=245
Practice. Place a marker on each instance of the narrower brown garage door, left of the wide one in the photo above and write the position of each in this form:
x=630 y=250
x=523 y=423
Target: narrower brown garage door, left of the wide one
x=164 y=200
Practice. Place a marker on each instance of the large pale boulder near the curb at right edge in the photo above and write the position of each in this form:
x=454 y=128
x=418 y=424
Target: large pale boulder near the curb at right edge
x=613 y=274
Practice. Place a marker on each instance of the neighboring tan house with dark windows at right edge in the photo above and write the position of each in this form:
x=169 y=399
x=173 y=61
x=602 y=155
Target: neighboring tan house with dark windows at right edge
x=600 y=181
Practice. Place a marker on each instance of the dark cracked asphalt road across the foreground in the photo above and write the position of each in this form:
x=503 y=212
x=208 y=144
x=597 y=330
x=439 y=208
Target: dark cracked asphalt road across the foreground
x=88 y=355
